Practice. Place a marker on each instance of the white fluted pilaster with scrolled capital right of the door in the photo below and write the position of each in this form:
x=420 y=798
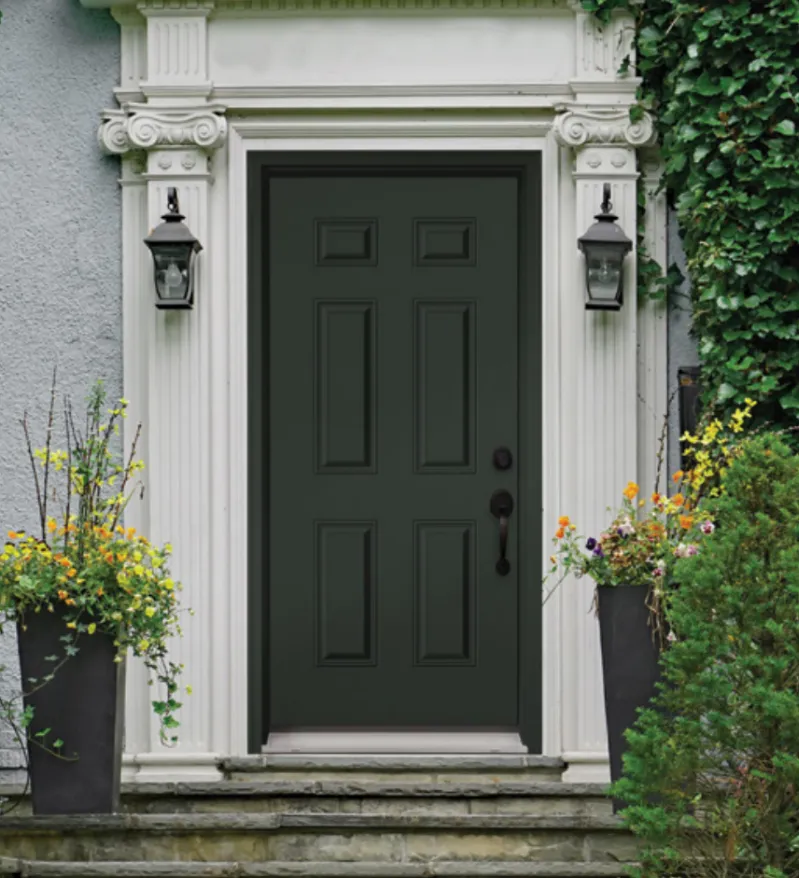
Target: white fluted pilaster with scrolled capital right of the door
x=602 y=408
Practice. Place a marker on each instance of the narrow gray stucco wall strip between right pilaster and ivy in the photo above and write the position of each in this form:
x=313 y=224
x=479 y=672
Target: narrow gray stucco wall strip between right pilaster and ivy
x=682 y=347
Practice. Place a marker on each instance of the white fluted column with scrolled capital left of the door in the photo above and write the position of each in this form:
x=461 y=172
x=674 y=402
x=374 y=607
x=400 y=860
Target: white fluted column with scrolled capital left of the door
x=167 y=140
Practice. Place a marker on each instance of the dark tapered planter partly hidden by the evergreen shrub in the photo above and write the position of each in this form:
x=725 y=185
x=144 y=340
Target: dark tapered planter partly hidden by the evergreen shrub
x=630 y=664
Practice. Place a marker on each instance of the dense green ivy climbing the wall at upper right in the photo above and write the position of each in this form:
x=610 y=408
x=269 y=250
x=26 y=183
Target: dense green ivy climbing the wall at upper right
x=722 y=81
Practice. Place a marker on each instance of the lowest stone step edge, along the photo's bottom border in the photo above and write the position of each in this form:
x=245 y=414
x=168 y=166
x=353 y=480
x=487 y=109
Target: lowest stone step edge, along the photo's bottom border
x=153 y=869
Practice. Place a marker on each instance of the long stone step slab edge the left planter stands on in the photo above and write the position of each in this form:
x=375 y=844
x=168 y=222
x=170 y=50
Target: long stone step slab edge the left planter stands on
x=245 y=822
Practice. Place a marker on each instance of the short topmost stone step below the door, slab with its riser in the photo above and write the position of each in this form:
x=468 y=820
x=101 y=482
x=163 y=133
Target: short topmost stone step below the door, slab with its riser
x=431 y=768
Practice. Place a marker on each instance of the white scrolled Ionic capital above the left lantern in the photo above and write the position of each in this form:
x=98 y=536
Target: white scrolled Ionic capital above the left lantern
x=141 y=126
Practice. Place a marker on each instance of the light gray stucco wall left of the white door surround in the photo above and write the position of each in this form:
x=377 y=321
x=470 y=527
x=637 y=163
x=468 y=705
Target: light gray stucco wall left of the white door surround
x=60 y=222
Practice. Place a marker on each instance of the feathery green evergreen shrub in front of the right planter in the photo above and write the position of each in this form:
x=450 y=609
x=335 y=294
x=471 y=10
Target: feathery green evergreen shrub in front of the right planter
x=712 y=775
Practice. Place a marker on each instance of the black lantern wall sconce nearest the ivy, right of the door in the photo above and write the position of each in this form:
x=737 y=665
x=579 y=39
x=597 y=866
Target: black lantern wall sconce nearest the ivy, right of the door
x=605 y=245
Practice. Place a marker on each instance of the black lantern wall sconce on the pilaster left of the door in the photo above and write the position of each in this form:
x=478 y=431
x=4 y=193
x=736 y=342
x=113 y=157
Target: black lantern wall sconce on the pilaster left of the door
x=174 y=250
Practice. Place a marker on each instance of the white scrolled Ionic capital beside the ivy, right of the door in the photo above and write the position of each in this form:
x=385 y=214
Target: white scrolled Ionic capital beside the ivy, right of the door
x=580 y=125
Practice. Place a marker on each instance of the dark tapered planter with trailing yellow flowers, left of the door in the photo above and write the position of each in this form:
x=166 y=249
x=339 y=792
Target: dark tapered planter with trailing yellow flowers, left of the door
x=83 y=706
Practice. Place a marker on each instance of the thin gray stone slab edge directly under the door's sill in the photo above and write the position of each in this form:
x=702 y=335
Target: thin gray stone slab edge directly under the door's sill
x=388 y=762
